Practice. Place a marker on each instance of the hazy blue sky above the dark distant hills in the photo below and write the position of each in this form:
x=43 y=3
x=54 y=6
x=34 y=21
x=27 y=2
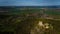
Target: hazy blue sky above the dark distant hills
x=29 y=2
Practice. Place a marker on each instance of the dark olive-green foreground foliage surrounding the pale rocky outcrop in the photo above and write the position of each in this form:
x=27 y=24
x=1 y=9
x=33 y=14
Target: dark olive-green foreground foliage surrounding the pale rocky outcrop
x=14 y=23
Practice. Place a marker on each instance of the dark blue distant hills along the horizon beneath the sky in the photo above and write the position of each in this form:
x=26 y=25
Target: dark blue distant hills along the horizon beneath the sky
x=30 y=6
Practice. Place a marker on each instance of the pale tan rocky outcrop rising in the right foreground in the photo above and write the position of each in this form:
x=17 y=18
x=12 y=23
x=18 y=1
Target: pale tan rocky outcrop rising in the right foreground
x=42 y=29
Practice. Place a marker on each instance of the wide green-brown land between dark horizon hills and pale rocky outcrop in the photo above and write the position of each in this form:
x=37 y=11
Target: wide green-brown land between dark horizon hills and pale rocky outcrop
x=22 y=20
